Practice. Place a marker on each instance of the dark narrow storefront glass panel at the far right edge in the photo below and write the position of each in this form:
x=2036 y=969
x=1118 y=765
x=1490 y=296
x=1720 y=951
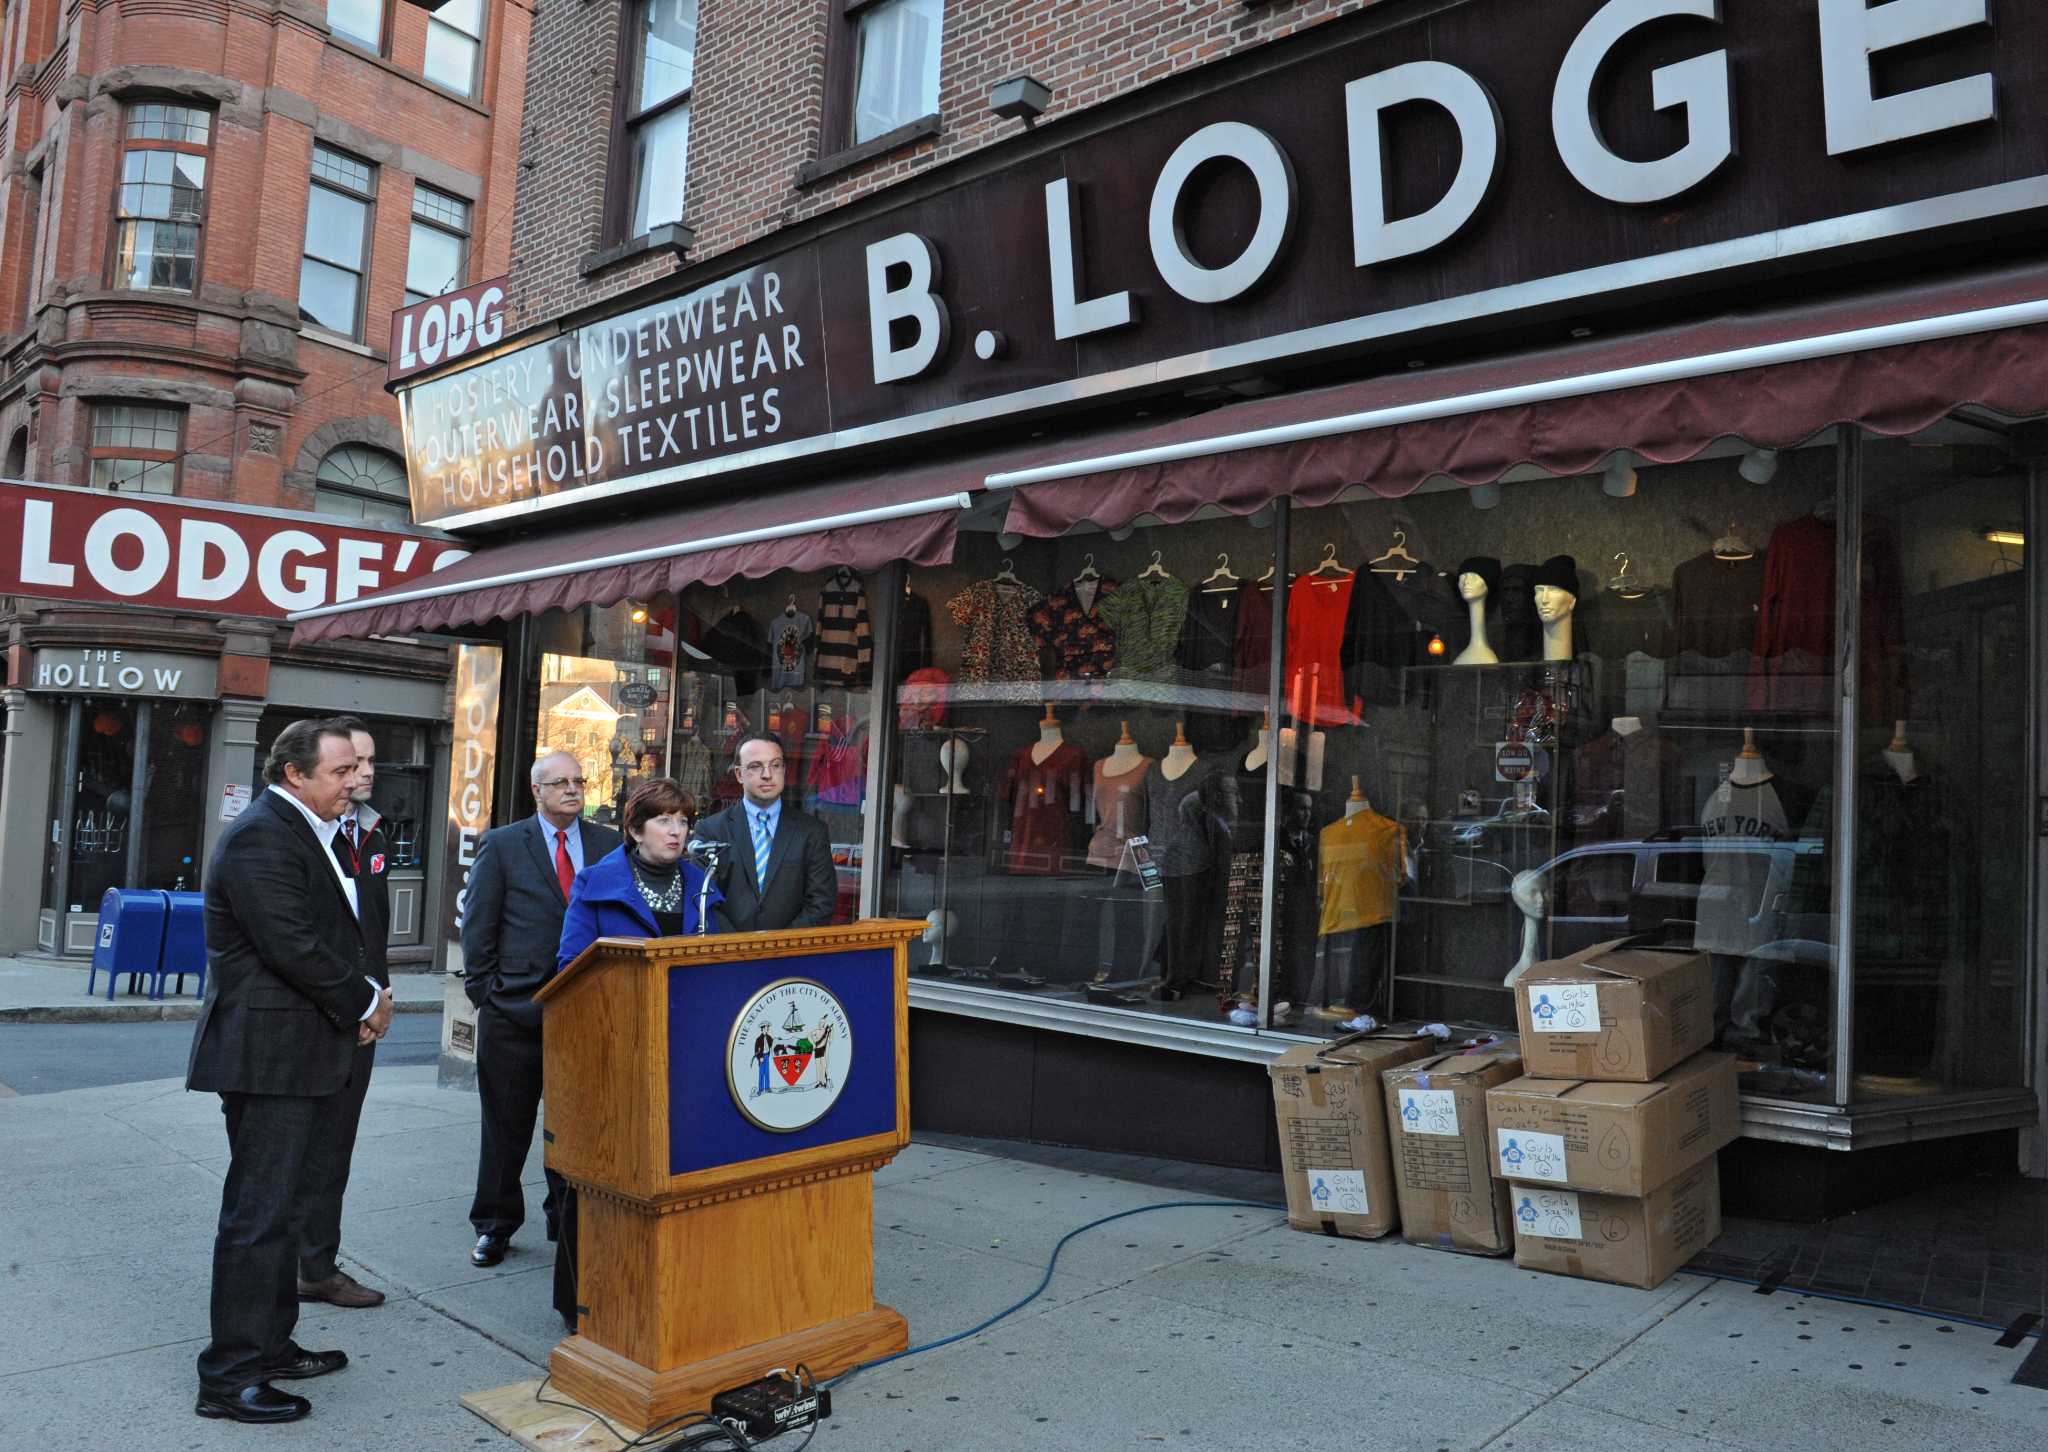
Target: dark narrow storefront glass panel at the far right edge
x=1943 y=742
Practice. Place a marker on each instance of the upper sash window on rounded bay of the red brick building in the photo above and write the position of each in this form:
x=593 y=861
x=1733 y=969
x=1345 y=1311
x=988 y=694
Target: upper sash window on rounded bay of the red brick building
x=161 y=208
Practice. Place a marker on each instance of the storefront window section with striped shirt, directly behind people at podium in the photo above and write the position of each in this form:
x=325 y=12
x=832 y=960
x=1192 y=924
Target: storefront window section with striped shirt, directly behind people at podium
x=792 y=656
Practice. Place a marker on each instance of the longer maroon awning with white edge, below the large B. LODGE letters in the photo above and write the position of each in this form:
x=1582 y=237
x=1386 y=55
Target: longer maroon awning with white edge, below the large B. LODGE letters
x=1889 y=361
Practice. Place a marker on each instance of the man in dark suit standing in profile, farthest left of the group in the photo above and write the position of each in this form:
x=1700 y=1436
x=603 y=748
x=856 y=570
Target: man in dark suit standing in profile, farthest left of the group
x=290 y=998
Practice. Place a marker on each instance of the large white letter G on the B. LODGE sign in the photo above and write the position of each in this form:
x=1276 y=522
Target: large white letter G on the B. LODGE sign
x=1699 y=85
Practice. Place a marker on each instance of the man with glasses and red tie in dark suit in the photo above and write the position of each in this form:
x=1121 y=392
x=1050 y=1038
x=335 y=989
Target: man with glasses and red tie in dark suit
x=519 y=890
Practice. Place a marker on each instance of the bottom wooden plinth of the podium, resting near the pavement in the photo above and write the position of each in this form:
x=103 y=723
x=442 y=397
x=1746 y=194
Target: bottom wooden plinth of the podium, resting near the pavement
x=640 y=1398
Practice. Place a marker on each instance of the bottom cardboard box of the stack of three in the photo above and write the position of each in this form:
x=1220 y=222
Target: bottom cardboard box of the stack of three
x=1633 y=1242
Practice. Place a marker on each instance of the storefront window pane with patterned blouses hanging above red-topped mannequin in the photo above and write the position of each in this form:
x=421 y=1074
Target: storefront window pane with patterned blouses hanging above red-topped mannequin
x=1082 y=767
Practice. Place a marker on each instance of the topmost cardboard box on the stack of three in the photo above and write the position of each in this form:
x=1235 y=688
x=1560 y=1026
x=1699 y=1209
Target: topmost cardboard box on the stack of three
x=1615 y=1013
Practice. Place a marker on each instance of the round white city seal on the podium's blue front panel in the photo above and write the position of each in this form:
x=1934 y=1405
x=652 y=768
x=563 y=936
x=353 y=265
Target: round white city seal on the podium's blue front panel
x=792 y=1056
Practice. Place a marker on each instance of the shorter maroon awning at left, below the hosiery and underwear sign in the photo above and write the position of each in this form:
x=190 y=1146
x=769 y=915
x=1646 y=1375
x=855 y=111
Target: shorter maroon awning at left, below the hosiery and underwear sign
x=863 y=523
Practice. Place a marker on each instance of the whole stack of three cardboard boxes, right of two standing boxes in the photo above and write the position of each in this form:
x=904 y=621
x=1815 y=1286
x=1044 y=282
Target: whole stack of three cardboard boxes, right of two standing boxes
x=1609 y=1146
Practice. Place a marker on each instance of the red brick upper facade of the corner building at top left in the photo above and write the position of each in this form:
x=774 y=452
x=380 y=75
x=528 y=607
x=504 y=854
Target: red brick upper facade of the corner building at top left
x=261 y=398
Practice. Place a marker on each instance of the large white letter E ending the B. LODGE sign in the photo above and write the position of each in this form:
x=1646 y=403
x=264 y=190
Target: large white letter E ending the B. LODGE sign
x=1852 y=34
